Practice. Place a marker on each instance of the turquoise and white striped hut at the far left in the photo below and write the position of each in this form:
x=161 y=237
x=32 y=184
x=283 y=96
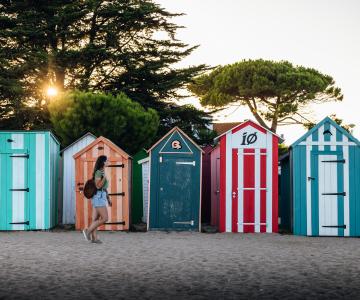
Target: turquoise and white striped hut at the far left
x=28 y=180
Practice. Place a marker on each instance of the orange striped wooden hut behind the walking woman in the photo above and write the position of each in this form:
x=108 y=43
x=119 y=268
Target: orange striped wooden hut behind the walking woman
x=118 y=172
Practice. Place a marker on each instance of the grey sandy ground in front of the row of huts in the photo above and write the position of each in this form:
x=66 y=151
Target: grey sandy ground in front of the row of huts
x=159 y=265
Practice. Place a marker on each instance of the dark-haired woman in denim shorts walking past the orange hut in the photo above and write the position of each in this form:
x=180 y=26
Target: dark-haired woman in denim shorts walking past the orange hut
x=99 y=201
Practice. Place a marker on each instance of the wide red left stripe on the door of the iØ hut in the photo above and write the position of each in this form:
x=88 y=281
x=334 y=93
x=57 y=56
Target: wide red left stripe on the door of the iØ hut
x=249 y=195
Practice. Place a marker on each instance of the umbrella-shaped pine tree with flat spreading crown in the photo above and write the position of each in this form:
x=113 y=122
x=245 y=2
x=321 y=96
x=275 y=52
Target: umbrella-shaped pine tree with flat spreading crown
x=273 y=91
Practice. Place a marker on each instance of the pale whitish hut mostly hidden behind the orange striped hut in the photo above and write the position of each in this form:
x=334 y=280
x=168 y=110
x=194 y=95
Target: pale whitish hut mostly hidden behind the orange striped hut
x=67 y=203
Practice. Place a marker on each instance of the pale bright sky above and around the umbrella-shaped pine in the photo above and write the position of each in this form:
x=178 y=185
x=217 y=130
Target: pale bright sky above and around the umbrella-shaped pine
x=321 y=34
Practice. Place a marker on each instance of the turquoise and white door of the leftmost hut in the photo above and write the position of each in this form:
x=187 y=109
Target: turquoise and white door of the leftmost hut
x=17 y=188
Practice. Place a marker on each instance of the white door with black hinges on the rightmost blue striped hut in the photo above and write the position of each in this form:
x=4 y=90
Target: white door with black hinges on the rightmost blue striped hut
x=330 y=197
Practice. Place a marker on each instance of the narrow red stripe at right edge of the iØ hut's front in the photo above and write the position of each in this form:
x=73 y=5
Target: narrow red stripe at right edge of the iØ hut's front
x=275 y=142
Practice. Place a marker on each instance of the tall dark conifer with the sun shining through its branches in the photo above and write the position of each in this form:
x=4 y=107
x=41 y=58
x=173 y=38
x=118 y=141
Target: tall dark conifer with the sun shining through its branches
x=95 y=45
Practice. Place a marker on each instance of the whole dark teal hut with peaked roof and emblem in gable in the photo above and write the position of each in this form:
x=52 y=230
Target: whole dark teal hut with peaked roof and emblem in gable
x=175 y=183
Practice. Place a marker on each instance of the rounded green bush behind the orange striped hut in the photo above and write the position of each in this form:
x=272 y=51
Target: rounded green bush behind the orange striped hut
x=123 y=121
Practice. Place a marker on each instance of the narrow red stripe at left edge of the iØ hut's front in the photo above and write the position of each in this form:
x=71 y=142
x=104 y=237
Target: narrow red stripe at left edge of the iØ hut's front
x=222 y=205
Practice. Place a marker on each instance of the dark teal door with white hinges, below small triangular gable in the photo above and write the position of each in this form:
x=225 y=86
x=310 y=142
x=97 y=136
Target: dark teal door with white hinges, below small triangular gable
x=176 y=206
